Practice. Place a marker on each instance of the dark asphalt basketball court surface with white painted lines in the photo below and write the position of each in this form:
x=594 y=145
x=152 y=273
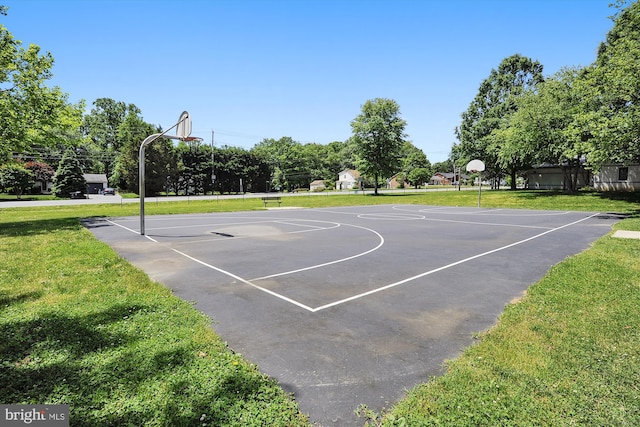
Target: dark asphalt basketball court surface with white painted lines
x=352 y=305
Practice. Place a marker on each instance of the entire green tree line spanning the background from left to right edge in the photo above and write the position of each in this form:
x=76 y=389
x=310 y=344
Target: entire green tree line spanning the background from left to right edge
x=578 y=118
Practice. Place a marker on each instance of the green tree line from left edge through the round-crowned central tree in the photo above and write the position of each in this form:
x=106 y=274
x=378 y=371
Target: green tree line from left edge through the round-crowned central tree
x=43 y=136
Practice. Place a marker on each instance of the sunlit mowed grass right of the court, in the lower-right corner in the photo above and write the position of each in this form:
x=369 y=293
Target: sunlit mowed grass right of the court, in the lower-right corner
x=567 y=354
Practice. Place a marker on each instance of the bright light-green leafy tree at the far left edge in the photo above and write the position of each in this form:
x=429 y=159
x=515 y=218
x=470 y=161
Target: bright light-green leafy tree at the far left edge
x=31 y=113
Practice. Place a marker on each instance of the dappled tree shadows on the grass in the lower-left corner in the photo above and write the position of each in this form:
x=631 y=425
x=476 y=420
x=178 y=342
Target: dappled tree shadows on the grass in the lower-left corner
x=111 y=370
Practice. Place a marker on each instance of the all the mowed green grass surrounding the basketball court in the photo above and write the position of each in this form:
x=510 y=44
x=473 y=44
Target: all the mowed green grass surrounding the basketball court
x=80 y=325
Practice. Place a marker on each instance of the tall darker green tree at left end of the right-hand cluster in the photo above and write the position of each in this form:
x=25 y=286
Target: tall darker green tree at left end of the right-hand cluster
x=495 y=102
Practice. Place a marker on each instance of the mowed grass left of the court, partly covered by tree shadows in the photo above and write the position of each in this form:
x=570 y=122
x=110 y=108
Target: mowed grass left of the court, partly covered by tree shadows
x=81 y=326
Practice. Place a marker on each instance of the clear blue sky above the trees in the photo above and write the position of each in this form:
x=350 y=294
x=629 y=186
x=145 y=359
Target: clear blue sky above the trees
x=255 y=69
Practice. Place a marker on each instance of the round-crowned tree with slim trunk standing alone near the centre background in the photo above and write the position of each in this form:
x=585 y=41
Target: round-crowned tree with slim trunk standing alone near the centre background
x=378 y=132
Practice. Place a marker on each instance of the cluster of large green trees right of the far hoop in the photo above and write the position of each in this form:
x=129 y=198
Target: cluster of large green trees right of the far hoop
x=579 y=118
